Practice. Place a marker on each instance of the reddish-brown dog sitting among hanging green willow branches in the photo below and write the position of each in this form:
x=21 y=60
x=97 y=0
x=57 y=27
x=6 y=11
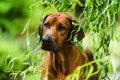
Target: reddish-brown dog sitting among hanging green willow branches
x=56 y=32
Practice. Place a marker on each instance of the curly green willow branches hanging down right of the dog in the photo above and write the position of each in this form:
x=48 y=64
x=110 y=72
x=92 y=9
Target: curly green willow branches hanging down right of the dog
x=99 y=22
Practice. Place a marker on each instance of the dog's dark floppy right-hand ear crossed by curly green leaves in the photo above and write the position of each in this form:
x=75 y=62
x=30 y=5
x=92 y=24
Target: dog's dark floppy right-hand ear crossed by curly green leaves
x=75 y=31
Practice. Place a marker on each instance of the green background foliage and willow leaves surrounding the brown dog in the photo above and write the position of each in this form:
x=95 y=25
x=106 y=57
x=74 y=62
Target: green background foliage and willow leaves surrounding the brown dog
x=21 y=56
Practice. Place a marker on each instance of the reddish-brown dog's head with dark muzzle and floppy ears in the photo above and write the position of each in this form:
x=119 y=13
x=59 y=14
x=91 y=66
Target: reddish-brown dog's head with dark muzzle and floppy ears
x=56 y=29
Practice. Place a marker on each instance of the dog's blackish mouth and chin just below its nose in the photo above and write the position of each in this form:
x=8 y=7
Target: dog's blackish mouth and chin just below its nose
x=50 y=46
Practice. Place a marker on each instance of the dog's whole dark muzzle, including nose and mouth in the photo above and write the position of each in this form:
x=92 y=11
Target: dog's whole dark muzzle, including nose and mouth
x=48 y=44
